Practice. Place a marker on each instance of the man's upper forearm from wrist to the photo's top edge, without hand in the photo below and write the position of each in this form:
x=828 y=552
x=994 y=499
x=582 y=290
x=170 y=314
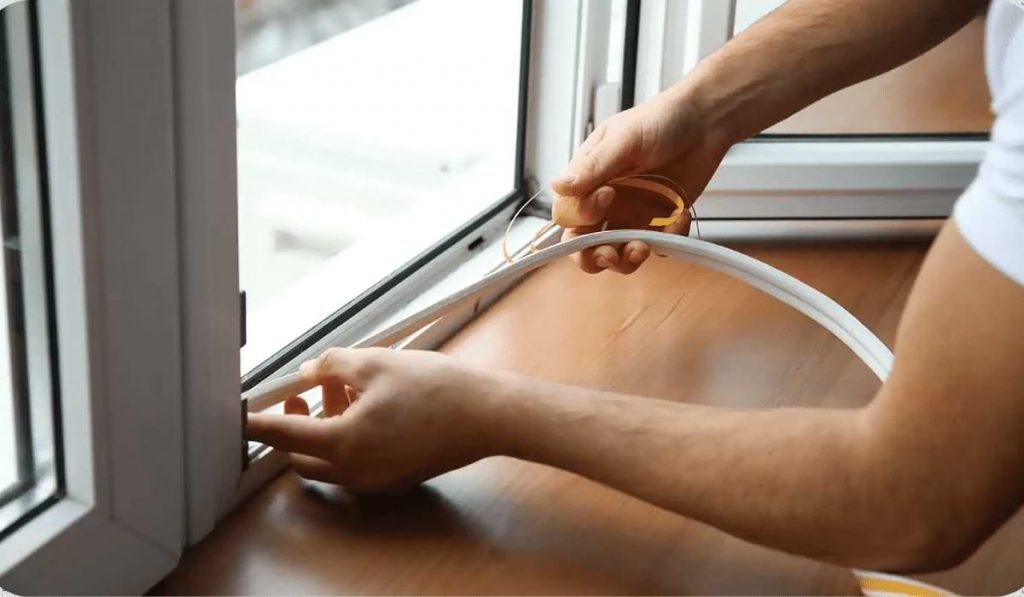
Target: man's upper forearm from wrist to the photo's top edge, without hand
x=807 y=50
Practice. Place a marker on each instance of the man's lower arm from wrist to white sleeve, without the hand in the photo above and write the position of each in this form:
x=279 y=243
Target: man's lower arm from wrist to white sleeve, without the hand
x=916 y=481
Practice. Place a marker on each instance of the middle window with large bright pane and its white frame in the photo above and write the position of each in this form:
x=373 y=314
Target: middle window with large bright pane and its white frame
x=437 y=217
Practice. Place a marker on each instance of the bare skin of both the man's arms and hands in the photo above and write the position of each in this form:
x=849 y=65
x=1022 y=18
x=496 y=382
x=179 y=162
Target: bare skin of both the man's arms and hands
x=936 y=459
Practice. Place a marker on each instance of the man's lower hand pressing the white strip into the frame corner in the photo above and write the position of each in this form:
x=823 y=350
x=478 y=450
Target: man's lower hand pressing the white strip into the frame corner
x=392 y=419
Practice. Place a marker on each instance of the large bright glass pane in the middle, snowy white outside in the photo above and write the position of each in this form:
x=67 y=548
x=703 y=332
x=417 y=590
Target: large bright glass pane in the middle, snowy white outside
x=368 y=132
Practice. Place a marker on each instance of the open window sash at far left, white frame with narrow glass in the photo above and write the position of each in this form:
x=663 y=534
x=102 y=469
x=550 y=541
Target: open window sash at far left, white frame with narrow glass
x=92 y=349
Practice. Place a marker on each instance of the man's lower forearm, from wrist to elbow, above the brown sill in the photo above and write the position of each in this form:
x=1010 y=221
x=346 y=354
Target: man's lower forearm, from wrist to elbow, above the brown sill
x=795 y=480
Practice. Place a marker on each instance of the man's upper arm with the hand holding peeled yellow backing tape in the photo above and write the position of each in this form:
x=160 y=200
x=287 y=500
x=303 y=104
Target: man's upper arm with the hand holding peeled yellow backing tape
x=799 y=54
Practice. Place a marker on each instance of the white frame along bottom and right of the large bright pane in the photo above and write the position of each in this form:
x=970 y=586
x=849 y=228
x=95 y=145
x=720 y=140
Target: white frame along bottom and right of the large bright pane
x=568 y=62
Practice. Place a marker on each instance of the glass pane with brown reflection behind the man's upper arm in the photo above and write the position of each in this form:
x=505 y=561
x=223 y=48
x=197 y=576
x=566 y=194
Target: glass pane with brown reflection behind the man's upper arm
x=942 y=92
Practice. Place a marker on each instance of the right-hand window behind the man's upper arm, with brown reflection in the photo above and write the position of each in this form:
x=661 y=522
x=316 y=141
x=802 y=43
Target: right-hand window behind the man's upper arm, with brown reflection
x=823 y=172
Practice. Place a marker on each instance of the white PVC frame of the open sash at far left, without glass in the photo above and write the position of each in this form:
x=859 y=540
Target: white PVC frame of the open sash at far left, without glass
x=111 y=188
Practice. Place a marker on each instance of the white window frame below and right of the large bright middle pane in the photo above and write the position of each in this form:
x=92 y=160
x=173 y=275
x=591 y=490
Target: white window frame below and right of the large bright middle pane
x=564 y=36
